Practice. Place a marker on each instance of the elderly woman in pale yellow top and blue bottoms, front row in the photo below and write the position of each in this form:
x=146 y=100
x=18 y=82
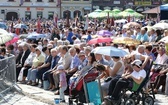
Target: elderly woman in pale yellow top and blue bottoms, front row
x=37 y=62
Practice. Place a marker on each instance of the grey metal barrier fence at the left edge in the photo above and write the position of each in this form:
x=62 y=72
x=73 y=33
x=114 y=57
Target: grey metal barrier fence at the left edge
x=7 y=74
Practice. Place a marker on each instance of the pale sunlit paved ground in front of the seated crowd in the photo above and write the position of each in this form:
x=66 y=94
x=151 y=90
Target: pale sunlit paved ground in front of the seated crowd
x=38 y=96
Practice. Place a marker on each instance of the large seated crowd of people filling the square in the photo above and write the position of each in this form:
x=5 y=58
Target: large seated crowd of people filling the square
x=63 y=56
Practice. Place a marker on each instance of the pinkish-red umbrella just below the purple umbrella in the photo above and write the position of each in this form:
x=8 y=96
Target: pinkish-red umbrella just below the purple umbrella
x=100 y=40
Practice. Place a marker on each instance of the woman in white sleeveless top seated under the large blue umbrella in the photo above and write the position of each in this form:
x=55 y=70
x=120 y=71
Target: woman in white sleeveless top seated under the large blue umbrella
x=117 y=70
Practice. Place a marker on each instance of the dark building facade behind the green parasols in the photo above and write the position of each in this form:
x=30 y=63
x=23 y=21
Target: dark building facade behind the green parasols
x=137 y=5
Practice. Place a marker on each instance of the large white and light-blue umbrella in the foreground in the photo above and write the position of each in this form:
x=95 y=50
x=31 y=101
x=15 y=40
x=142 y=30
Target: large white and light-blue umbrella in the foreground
x=110 y=51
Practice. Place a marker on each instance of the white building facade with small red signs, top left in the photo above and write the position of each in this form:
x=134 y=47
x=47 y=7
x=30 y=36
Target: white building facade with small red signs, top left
x=29 y=9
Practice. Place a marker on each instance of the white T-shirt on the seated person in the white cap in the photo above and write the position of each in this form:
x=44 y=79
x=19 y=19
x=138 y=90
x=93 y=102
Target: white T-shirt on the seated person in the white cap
x=138 y=75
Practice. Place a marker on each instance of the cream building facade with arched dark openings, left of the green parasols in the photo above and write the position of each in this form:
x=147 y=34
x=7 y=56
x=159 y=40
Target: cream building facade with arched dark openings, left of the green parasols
x=72 y=8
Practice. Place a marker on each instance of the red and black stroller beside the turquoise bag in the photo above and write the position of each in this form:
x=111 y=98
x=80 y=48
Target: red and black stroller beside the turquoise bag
x=76 y=89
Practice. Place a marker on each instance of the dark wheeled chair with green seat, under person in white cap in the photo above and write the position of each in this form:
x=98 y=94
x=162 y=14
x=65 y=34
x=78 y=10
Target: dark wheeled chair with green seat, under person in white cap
x=137 y=94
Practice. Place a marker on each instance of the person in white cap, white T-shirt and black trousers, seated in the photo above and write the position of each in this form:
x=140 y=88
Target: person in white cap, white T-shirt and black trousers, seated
x=119 y=83
